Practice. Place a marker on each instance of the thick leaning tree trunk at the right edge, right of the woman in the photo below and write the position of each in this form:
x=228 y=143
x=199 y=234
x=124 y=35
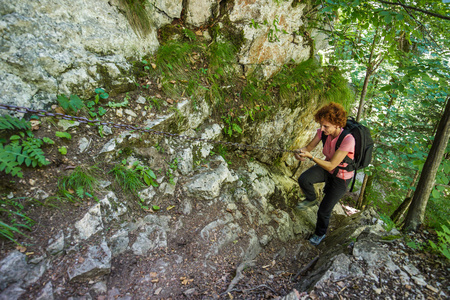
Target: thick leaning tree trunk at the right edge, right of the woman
x=416 y=212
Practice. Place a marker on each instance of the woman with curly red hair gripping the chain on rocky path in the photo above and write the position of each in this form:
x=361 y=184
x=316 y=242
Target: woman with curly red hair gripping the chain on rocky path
x=332 y=119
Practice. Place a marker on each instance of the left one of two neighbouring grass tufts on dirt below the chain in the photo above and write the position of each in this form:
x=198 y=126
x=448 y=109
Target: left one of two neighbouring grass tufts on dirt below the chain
x=81 y=182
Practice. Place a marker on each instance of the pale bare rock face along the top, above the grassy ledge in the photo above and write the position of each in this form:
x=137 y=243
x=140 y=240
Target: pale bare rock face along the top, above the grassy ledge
x=58 y=47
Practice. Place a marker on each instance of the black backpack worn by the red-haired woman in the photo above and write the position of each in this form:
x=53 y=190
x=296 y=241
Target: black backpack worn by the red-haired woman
x=363 y=147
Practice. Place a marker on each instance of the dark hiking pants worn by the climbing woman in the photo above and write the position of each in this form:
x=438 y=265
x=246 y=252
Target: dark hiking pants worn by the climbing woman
x=334 y=189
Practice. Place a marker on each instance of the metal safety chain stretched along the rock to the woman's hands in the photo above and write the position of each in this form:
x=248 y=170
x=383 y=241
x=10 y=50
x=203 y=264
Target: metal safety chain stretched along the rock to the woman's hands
x=42 y=113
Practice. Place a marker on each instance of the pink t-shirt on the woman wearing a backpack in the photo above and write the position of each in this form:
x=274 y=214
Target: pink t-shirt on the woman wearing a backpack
x=347 y=145
